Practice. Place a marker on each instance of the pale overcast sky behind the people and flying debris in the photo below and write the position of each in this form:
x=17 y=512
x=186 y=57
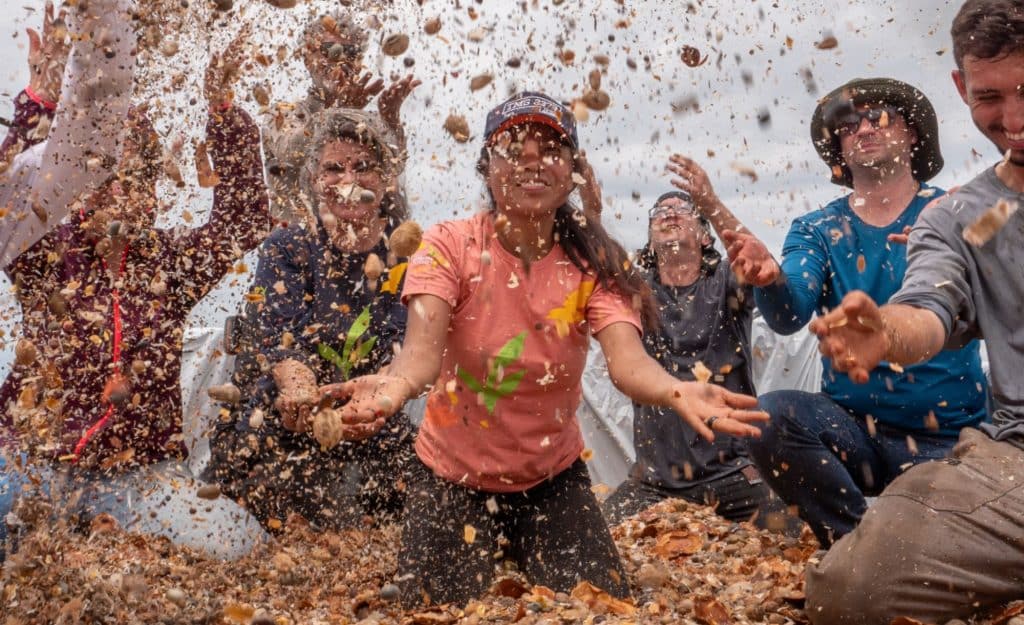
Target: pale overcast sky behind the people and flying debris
x=761 y=59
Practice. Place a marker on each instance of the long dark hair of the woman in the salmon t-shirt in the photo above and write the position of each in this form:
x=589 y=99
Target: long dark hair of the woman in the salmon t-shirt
x=591 y=249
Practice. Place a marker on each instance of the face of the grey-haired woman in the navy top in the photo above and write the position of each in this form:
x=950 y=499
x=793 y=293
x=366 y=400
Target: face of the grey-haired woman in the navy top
x=351 y=184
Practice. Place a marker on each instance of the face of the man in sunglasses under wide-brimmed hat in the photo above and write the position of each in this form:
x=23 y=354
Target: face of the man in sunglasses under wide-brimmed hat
x=885 y=143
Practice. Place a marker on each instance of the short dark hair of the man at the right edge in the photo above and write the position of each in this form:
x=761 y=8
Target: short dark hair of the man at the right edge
x=989 y=29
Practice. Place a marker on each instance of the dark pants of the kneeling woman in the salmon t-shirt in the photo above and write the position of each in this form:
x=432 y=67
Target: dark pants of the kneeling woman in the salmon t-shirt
x=454 y=537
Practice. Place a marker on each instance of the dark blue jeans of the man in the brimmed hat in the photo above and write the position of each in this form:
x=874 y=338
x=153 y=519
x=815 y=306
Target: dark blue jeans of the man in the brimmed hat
x=823 y=460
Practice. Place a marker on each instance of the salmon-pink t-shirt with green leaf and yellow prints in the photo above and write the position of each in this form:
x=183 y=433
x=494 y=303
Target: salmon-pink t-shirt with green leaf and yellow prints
x=502 y=415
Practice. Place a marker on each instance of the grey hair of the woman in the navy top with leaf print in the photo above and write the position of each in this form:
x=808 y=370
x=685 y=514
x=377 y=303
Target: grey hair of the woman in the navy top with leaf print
x=366 y=129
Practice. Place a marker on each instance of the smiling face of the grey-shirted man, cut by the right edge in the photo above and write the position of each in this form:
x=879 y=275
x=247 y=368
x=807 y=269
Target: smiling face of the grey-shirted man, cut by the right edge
x=994 y=90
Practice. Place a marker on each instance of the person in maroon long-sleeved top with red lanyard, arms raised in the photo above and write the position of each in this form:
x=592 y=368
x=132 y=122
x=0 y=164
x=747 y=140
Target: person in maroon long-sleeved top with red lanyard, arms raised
x=95 y=395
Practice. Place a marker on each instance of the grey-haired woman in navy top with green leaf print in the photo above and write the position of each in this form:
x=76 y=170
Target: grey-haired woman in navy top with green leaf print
x=325 y=317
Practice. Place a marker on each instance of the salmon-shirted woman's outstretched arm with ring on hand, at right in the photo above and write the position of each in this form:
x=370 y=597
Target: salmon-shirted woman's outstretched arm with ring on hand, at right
x=706 y=408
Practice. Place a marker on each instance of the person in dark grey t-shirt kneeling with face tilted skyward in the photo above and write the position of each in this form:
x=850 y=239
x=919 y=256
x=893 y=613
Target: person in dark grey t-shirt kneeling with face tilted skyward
x=705 y=332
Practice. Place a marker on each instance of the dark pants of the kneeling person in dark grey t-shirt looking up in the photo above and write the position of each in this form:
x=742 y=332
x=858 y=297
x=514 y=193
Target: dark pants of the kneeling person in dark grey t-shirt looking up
x=736 y=496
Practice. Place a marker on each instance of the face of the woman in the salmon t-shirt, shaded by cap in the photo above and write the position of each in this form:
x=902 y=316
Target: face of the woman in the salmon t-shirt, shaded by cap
x=531 y=171
